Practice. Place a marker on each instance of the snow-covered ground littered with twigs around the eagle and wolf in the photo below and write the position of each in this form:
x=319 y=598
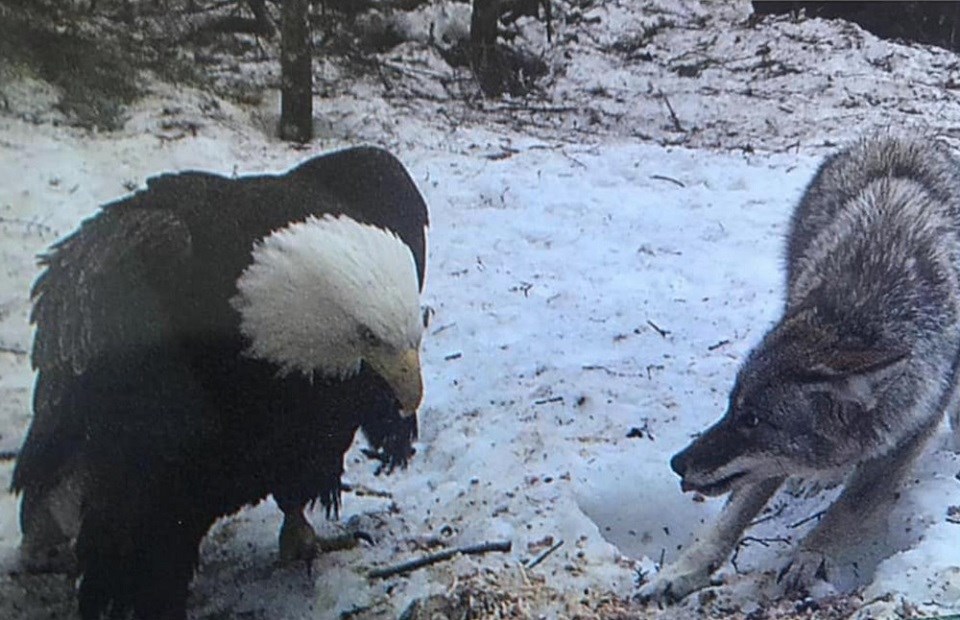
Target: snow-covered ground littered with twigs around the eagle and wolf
x=594 y=295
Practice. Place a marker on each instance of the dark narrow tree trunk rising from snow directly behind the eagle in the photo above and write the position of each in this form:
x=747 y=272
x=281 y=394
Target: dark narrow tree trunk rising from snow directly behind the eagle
x=296 y=97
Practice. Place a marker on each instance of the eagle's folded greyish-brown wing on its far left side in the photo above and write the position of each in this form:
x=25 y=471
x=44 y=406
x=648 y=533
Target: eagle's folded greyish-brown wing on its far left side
x=107 y=290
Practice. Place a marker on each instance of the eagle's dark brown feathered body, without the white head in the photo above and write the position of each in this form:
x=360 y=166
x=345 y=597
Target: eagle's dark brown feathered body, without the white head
x=143 y=389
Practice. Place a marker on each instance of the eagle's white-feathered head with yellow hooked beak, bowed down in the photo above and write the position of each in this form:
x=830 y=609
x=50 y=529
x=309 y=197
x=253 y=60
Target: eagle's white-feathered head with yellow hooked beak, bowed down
x=322 y=295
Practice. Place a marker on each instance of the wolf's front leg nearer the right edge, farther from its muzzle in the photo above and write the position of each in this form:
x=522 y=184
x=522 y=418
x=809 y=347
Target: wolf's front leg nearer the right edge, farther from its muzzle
x=858 y=514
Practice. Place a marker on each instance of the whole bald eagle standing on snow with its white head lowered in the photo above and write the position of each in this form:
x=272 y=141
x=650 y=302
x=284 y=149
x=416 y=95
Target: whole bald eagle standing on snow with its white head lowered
x=207 y=342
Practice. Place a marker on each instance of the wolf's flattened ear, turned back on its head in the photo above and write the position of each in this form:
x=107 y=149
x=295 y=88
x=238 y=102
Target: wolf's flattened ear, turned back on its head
x=859 y=376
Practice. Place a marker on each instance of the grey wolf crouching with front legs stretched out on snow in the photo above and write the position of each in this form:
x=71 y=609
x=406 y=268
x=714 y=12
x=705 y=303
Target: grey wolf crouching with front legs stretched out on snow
x=853 y=379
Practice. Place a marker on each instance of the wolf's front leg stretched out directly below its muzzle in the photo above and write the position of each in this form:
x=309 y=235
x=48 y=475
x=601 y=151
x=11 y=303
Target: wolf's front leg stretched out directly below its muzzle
x=692 y=570
